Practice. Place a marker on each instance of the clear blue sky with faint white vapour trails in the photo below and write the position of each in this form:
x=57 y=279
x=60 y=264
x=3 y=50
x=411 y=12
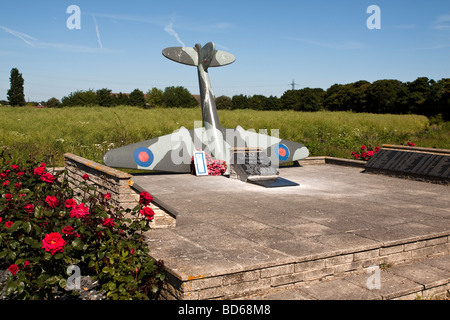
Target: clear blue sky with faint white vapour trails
x=316 y=43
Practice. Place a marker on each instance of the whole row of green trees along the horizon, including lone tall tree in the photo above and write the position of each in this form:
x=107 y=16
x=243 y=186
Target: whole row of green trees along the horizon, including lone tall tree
x=422 y=96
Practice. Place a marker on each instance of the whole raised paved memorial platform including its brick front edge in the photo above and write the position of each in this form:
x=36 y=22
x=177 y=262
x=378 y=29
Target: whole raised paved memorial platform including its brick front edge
x=235 y=240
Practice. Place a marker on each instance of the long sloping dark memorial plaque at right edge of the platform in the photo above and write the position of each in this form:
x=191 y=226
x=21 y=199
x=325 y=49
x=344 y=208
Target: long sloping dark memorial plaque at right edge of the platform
x=425 y=165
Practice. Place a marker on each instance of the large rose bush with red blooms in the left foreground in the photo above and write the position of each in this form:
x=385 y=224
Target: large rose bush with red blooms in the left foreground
x=44 y=230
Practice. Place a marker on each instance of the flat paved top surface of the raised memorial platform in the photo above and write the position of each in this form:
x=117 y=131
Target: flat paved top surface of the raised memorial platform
x=227 y=226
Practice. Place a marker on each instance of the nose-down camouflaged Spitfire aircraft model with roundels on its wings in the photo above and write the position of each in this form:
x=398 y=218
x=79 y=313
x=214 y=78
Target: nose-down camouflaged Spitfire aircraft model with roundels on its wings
x=173 y=152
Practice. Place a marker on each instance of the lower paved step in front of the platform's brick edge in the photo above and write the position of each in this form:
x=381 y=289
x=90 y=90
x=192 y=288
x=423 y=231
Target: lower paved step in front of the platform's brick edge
x=426 y=279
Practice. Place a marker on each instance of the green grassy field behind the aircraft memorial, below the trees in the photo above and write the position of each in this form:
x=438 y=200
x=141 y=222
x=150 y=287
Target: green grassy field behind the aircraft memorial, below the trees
x=90 y=132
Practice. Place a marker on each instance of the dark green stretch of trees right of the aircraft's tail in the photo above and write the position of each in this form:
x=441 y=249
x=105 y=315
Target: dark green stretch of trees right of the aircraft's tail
x=421 y=96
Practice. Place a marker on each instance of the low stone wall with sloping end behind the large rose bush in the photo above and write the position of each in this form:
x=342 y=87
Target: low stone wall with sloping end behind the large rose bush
x=124 y=193
